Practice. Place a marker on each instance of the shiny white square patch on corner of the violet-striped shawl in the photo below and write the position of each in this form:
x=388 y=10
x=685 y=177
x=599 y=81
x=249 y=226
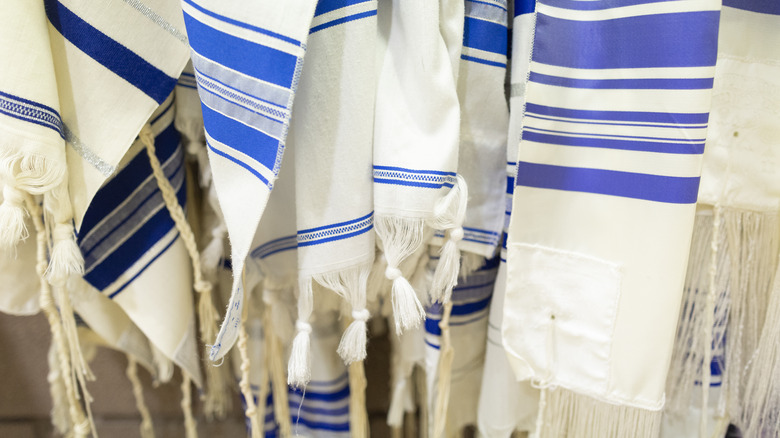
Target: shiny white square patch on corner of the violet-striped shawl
x=559 y=317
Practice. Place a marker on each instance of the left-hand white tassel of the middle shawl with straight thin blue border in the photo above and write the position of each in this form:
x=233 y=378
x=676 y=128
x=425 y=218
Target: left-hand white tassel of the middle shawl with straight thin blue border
x=400 y=238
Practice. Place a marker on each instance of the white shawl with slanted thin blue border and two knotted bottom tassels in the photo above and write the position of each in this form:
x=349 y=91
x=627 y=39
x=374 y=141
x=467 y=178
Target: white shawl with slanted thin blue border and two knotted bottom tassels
x=332 y=138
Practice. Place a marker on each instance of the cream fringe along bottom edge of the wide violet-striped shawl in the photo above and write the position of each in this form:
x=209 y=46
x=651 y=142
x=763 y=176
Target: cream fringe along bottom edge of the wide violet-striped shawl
x=568 y=414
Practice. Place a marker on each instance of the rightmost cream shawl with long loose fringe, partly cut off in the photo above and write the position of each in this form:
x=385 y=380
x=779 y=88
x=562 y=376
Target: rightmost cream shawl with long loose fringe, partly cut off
x=728 y=334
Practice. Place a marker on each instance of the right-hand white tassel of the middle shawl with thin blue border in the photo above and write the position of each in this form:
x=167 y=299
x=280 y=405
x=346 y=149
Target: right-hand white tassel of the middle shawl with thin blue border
x=449 y=214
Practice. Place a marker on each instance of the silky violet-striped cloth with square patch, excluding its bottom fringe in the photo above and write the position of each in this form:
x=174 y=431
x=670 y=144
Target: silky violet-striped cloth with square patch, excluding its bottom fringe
x=640 y=240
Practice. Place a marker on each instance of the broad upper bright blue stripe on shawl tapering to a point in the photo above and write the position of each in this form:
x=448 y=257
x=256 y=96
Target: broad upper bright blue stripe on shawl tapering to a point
x=252 y=59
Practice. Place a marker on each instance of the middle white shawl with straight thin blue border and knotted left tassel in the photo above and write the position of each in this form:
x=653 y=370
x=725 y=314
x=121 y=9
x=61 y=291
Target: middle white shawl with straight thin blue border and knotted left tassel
x=415 y=140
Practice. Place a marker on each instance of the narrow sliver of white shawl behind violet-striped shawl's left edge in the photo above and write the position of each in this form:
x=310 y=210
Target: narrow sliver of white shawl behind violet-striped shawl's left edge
x=505 y=404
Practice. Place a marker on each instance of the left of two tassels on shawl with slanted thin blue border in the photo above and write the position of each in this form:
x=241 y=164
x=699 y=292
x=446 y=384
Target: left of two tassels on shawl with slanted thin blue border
x=299 y=367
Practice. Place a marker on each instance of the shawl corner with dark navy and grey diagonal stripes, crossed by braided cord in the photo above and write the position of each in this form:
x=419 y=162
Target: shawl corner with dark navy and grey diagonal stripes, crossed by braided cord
x=132 y=250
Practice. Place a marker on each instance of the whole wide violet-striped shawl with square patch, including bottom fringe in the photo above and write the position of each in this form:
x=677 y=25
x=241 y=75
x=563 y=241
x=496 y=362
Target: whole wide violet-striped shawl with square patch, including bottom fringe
x=603 y=208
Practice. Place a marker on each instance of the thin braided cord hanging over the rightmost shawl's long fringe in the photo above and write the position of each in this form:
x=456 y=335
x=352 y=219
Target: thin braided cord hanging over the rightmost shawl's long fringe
x=709 y=321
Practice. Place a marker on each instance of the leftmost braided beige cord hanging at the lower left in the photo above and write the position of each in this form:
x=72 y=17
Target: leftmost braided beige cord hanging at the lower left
x=81 y=425
